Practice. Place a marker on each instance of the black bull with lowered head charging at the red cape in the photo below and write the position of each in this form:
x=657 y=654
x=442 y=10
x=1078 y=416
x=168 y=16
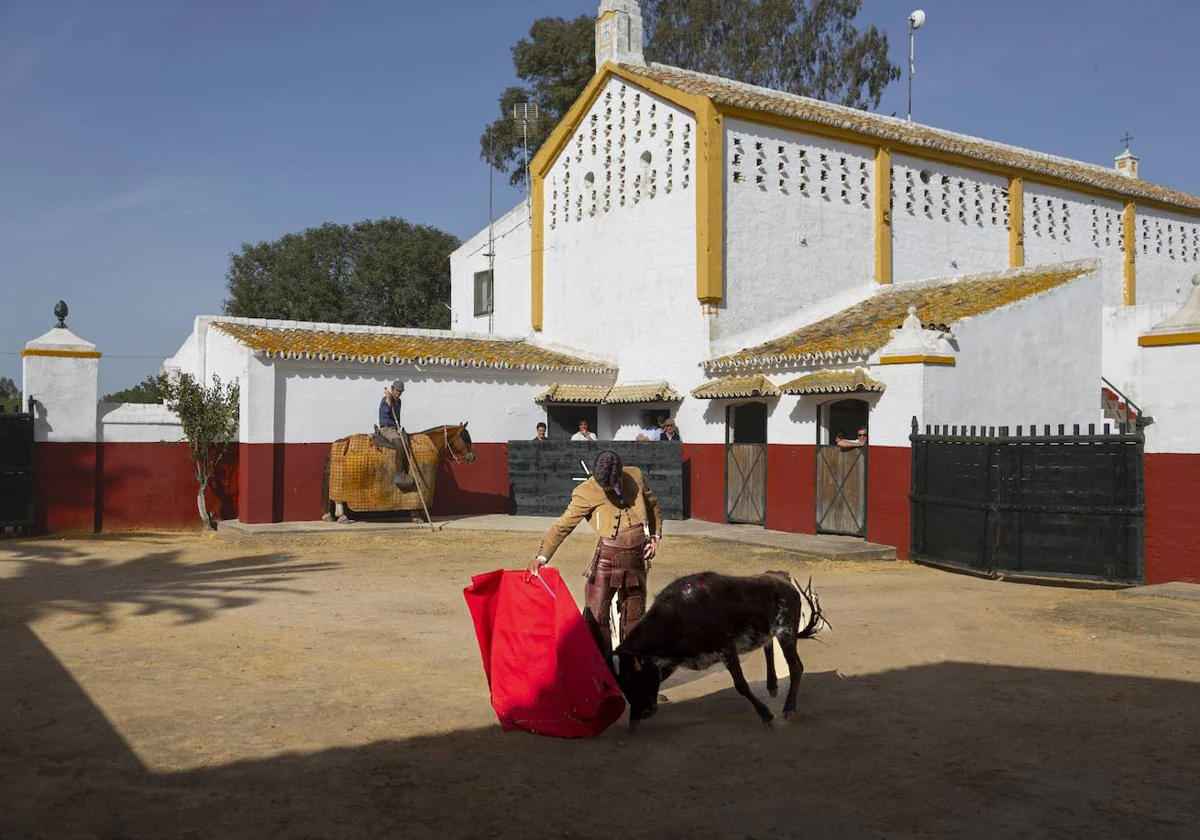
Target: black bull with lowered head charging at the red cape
x=701 y=620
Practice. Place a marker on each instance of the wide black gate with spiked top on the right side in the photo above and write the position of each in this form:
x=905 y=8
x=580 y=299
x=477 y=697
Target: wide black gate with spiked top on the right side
x=1064 y=506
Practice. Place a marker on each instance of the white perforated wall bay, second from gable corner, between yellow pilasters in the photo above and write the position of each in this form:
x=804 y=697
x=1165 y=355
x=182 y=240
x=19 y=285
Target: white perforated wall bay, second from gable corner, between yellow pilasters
x=946 y=220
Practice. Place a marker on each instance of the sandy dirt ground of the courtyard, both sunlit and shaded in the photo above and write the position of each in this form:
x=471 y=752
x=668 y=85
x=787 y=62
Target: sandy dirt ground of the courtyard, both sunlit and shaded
x=311 y=687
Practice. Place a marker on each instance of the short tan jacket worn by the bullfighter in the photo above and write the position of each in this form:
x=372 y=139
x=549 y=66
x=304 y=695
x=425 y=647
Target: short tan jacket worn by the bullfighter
x=608 y=517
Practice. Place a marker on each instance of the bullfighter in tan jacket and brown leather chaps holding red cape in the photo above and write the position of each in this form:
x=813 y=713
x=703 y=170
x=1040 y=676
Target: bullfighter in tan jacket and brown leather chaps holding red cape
x=627 y=518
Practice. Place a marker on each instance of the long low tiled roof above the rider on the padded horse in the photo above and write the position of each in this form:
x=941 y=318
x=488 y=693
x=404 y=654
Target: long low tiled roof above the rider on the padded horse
x=398 y=347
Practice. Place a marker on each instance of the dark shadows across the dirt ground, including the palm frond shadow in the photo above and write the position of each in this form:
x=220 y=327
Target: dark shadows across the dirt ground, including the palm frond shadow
x=950 y=748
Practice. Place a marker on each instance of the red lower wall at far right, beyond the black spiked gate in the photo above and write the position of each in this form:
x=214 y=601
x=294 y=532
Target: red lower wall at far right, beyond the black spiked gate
x=1173 y=529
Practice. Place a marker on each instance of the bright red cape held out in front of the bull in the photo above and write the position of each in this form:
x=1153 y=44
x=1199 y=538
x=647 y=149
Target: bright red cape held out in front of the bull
x=542 y=663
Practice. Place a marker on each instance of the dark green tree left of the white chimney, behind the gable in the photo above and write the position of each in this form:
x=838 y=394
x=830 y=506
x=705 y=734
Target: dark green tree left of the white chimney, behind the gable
x=556 y=63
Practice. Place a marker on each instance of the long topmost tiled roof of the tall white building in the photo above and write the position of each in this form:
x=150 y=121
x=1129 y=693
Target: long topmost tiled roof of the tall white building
x=737 y=94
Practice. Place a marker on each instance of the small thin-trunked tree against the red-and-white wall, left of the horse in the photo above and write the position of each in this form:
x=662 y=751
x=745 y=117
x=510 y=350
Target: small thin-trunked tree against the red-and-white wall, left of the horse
x=209 y=417
